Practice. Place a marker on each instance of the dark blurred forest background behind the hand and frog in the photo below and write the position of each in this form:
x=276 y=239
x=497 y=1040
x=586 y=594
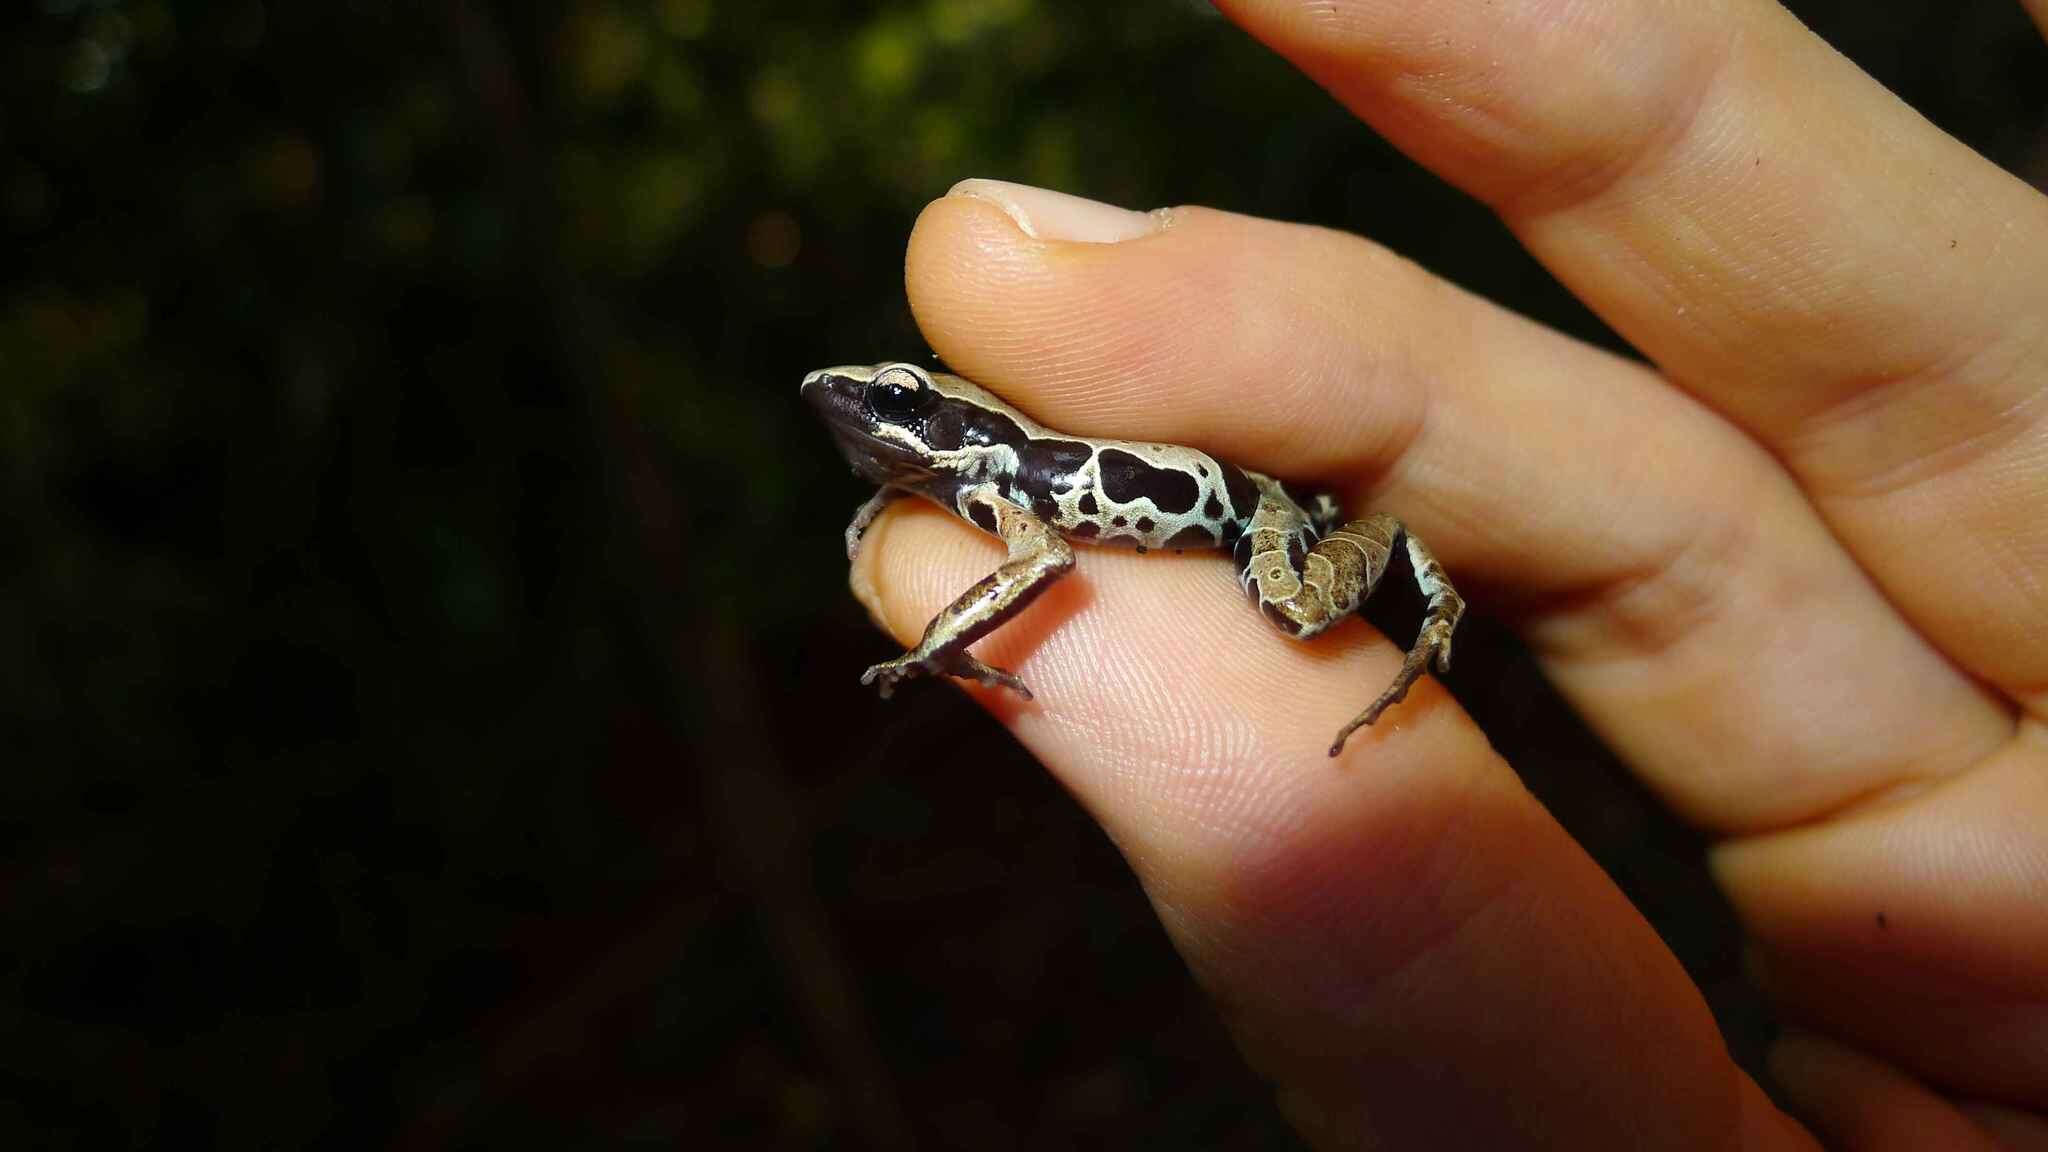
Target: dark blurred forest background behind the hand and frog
x=427 y=680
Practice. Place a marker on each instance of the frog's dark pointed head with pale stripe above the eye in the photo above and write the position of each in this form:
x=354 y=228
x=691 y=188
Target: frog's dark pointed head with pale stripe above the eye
x=878 y=413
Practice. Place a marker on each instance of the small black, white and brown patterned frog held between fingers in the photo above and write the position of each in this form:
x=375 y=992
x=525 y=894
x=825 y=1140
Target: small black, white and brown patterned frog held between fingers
x=941 y=438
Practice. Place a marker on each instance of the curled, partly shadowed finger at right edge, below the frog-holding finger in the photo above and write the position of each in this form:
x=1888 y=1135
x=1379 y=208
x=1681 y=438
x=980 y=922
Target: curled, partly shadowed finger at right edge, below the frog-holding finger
x=1934 y=907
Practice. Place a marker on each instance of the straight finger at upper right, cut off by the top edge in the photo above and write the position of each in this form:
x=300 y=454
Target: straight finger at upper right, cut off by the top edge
x=1783 y=237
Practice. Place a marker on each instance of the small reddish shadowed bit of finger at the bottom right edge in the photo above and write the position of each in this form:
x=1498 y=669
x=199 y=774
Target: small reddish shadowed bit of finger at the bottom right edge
x=1861 y=1106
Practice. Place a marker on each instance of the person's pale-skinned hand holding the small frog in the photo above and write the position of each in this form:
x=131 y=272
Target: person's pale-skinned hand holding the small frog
x=1795 y=571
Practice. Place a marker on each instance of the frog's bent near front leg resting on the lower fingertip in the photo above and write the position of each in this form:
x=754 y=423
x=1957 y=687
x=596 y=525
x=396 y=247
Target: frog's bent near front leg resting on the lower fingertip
x=1037 y=559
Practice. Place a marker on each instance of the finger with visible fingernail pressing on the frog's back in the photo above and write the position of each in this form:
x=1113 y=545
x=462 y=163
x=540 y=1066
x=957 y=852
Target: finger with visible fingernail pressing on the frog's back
x=1672 y=579
